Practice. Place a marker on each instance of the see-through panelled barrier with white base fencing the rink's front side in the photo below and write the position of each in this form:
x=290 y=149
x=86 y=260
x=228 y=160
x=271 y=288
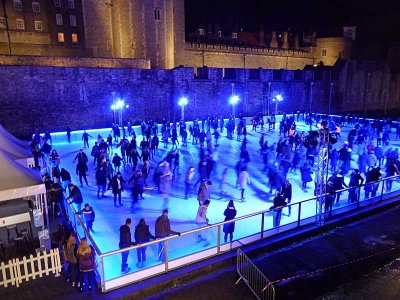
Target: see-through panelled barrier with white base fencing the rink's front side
x=183 y=250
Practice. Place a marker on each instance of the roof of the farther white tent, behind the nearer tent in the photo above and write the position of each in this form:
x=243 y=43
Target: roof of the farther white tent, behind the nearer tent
x=15 y=150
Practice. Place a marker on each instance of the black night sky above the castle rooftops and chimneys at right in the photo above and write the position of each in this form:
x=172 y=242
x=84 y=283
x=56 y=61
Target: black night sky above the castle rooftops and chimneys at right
x=377 y=20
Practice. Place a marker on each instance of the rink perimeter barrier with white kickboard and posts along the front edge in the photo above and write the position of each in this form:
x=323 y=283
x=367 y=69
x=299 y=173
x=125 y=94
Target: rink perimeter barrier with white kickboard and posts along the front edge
x=173 y=261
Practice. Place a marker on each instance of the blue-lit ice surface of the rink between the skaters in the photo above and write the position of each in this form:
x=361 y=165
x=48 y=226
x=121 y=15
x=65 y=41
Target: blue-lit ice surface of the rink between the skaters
x=182 y=212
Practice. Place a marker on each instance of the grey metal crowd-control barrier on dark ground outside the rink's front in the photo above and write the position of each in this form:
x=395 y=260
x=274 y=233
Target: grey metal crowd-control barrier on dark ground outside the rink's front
x=261 y=287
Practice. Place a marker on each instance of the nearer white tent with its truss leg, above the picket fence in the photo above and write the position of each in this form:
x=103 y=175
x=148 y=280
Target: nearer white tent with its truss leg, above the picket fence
x=18 y=182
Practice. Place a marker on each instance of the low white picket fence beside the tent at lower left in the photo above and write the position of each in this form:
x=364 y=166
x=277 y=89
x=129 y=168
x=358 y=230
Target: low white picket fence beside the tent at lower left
x=16 y=270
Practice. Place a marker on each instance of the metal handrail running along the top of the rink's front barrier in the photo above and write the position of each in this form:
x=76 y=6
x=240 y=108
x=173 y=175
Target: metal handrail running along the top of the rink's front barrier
x=229 y=221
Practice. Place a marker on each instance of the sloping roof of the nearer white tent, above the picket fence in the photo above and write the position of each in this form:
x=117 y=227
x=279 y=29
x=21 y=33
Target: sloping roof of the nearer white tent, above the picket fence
x=17 y=181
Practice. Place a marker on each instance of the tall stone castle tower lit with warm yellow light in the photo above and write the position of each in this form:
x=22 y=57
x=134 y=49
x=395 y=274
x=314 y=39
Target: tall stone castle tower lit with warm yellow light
x=151 y=29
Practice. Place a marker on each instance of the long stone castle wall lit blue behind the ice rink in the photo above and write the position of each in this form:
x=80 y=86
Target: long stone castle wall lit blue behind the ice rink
x=51 y=98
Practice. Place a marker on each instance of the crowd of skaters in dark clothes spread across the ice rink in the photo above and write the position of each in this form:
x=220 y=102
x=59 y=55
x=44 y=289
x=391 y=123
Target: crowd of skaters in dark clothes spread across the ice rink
x=293 y=152
